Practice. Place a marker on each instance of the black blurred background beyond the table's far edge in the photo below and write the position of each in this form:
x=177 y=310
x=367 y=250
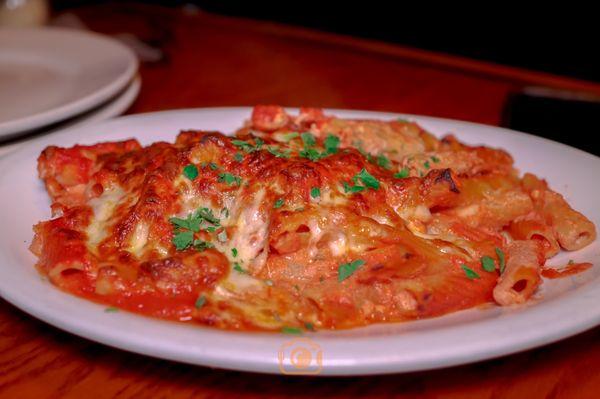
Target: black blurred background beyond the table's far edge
x=560 y=38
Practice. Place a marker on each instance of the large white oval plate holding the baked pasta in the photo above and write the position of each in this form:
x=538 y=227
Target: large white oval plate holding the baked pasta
x=561 y=308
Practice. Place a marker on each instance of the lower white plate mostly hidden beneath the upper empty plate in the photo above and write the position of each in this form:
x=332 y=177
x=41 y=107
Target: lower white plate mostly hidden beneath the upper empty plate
x=114 y=107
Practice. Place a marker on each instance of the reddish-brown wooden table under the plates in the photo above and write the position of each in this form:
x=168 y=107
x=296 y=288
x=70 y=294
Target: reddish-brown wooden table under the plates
x=218 y=61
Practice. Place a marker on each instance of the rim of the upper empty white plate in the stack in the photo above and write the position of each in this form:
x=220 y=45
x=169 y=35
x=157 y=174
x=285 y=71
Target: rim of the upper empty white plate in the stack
x=16 y=127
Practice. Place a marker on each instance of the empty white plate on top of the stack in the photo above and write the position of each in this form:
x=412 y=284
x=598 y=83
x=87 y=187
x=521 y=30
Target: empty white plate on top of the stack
x=50 y=74
